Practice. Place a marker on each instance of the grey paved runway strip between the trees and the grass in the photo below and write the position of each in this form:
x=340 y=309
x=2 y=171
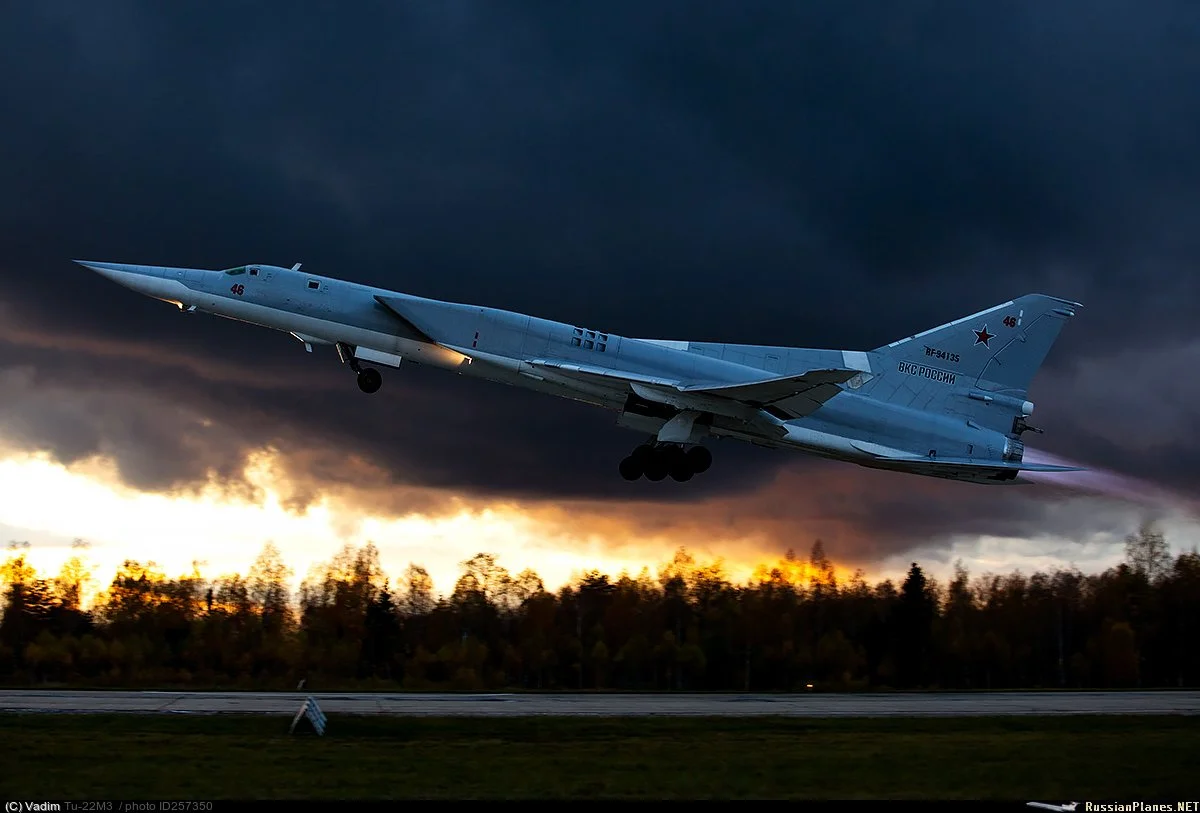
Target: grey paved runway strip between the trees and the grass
x=611 y=706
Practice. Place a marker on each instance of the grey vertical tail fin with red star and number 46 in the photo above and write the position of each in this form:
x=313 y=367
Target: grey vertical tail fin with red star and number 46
x=998 y=351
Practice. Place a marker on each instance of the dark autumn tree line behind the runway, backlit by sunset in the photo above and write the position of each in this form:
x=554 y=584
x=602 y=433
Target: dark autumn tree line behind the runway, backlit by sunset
x=793 y=627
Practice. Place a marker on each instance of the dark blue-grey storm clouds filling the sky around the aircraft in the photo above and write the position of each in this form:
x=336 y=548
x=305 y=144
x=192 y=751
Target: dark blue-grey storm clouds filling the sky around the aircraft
x=832 y=176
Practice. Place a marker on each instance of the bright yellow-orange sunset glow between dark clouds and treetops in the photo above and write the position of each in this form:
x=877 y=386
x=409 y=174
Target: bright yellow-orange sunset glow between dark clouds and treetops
x=50 y=505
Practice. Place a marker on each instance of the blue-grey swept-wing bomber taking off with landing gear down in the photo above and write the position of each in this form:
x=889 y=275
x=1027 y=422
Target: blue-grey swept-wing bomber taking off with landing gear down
x=950 y=402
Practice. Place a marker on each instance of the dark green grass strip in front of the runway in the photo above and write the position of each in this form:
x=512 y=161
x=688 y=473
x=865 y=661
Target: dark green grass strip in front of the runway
x=203 y=758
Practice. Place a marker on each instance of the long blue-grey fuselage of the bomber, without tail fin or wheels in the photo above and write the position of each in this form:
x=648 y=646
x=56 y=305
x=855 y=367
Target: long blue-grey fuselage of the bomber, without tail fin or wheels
x=387 y=328
